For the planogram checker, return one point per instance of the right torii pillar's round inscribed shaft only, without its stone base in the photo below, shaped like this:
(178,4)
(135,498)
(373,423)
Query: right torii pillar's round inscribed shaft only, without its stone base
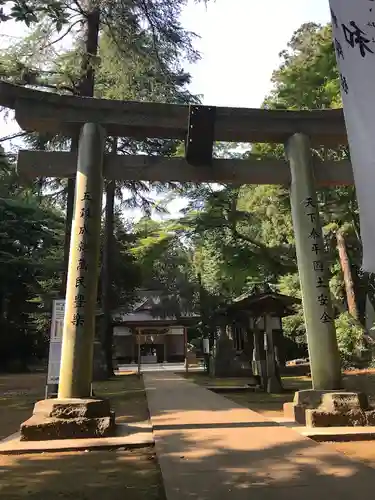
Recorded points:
(312,268)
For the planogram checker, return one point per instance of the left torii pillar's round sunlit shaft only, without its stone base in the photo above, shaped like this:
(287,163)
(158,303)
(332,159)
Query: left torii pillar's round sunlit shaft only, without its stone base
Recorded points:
(81,295)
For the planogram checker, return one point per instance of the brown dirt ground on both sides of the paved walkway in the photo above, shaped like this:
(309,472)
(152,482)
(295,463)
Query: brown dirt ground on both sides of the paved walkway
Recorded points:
(134,475)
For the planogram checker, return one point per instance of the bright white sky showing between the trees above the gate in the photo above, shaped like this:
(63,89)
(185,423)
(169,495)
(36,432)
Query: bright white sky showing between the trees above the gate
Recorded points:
(240,42)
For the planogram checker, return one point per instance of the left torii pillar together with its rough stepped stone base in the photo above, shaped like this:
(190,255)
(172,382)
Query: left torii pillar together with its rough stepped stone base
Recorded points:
(74,413)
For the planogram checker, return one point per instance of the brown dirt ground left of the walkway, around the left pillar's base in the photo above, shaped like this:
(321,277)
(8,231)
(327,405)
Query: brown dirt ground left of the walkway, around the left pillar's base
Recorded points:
(116,474)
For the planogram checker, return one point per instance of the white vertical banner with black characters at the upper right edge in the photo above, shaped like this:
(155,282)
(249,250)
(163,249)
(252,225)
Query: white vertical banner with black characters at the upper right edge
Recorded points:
(353,23)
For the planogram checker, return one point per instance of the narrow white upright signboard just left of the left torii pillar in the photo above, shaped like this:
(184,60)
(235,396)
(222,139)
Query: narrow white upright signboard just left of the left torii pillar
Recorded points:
(54,359)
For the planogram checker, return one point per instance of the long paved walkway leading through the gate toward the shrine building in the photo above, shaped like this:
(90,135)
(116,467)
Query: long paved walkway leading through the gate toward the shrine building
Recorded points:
(210,448)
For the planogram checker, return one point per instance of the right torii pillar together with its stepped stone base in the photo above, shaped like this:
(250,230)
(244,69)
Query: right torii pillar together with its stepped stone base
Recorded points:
(326,404)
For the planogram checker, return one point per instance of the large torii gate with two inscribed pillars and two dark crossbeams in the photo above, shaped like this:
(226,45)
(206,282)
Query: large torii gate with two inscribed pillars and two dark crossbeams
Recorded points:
(199,126)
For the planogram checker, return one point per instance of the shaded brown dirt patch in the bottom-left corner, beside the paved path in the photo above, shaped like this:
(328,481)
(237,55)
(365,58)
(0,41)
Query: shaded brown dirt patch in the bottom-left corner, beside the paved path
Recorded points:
(90,476)
